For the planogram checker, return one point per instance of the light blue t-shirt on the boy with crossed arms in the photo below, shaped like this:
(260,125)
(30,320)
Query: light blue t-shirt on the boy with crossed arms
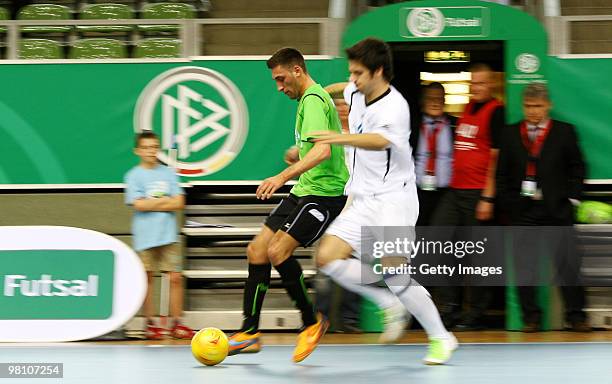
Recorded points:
(152,229)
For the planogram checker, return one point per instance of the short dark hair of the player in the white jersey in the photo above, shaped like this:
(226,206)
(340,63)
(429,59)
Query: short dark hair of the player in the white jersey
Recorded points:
(373,54)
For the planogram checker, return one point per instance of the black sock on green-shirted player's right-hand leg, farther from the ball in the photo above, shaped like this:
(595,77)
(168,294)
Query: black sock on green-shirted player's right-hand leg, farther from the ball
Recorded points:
(293,280)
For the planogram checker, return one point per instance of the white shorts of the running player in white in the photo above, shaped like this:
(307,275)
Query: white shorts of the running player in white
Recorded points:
(390,210)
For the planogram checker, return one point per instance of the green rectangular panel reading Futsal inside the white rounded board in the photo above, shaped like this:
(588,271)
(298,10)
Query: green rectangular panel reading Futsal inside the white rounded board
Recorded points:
(56,284)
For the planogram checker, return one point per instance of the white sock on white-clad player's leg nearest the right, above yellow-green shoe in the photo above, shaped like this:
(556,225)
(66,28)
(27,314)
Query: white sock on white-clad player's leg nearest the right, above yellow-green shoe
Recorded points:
(417,301)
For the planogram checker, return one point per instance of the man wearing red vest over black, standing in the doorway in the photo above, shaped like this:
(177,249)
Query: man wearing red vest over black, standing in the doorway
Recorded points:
(472,187)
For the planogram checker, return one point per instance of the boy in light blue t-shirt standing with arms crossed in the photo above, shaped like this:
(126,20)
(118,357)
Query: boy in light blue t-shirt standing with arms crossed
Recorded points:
(154,192)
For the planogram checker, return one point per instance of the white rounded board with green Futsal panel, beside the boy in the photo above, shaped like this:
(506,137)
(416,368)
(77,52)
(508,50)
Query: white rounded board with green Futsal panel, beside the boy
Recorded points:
(64,284)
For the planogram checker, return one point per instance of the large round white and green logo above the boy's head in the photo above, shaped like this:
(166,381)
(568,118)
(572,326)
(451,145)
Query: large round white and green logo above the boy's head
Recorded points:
(199,113)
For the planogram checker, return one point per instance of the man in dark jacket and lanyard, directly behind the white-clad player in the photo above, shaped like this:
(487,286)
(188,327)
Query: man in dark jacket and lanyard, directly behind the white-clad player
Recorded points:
(432,143)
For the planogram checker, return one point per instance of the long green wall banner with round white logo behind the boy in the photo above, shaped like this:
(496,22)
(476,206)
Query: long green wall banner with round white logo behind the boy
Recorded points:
(74,123)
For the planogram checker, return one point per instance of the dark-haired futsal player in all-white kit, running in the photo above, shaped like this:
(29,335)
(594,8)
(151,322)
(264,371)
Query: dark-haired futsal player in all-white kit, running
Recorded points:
(382,184)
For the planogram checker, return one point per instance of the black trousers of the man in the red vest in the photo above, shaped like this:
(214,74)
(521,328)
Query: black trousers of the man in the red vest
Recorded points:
(457,208)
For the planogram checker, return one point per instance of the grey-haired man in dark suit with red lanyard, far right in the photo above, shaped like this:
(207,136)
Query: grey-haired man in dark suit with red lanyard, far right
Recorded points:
(539,178)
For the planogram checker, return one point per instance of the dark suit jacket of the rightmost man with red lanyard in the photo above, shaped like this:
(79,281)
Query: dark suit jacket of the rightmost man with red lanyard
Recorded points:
(560,171)
